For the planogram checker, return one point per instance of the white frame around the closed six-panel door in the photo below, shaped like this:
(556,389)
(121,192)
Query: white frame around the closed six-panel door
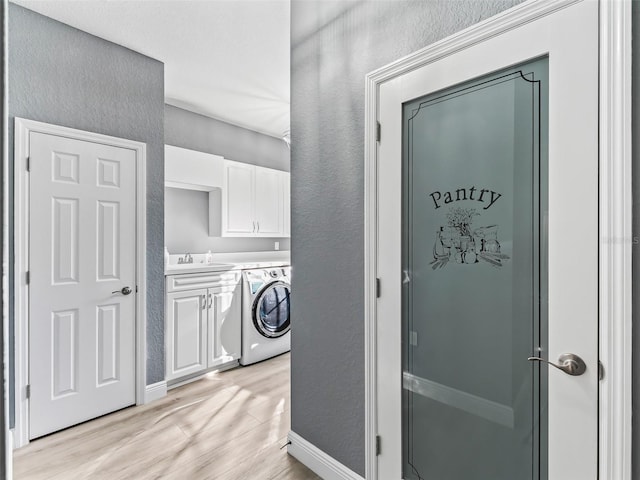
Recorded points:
(22,130)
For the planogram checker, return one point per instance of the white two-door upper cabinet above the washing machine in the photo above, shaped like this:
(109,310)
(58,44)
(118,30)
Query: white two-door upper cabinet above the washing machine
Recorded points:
(252,201)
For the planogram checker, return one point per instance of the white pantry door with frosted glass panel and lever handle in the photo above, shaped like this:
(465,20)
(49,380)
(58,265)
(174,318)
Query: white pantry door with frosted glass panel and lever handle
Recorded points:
(487,255)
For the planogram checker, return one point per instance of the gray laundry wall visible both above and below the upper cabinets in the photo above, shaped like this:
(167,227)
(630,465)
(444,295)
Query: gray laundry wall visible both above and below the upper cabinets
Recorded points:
(186,211)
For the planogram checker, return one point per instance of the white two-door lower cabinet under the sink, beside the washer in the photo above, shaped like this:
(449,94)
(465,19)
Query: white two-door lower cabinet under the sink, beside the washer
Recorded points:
(203,323)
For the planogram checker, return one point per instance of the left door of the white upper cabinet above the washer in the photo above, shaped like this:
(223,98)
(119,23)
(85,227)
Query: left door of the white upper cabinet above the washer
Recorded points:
(238,200)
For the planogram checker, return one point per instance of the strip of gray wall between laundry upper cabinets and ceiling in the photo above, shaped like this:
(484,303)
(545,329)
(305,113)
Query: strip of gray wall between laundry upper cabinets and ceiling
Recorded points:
(186,129)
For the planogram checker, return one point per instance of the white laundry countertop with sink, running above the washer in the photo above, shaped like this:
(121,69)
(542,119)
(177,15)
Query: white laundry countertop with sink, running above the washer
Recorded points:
(228,261)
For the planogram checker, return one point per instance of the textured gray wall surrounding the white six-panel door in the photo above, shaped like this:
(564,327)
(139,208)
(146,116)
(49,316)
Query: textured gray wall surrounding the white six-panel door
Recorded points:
(60,75)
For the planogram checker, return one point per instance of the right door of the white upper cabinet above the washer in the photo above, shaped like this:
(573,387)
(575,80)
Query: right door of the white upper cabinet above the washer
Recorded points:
(268,198)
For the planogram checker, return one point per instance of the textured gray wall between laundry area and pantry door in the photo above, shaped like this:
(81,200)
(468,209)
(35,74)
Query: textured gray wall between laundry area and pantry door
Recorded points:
(334,45)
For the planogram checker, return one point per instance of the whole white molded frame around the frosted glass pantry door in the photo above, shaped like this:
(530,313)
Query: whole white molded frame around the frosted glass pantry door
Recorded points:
(615,205)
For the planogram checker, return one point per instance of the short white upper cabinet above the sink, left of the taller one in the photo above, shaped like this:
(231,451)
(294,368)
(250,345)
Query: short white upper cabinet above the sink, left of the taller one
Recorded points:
(184,168)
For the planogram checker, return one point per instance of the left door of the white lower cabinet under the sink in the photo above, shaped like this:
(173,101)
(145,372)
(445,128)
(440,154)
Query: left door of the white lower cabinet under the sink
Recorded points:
(186,333)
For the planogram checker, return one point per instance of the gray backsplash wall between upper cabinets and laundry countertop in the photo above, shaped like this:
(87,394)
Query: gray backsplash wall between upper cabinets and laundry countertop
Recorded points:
(187,227)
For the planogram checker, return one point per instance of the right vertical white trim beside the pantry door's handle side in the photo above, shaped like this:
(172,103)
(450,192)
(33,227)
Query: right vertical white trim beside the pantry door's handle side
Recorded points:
(616,240)
